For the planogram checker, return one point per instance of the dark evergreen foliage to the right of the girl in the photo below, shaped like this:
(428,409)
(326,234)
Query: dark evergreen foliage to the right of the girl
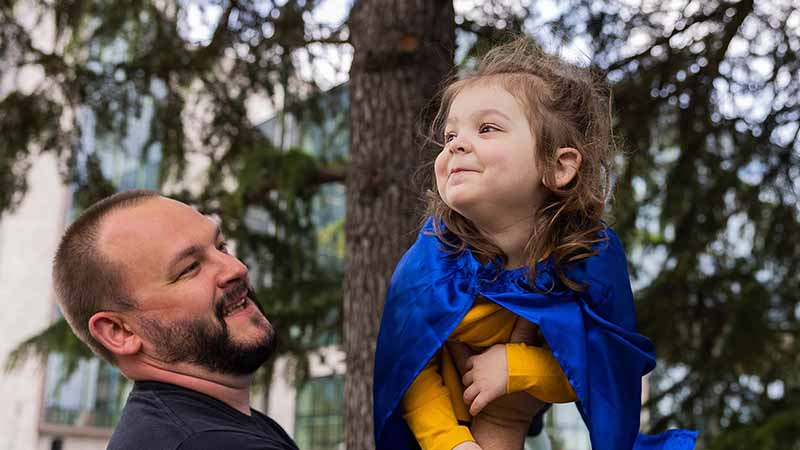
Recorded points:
(707,196)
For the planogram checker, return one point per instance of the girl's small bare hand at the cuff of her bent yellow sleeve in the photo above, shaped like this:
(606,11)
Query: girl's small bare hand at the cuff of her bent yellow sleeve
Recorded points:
(486,378)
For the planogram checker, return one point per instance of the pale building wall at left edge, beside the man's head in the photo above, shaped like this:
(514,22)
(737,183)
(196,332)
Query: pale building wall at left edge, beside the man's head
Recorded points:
(28,239)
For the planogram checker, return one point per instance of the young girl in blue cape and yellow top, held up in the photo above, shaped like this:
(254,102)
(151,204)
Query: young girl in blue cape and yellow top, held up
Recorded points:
(514,249)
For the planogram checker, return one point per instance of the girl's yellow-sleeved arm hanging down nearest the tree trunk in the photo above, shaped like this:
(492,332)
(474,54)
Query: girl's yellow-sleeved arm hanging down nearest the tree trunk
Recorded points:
(428,411)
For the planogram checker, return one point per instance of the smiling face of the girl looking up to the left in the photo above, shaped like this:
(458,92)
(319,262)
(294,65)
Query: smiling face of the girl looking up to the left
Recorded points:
(487,170)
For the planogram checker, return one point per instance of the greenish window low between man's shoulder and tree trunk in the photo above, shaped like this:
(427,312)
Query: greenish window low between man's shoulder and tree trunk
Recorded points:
(319,423)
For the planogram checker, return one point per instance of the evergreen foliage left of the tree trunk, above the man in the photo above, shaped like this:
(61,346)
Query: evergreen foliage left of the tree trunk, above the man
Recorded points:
(133,79)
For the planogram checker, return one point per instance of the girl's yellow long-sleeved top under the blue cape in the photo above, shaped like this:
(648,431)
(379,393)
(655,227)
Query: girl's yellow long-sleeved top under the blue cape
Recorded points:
(433,404)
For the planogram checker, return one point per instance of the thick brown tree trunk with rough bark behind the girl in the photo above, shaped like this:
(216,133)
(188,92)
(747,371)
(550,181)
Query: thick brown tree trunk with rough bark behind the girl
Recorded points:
(403,49)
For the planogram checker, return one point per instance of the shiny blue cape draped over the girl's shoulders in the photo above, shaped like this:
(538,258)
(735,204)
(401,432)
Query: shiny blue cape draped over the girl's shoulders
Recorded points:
(592,335)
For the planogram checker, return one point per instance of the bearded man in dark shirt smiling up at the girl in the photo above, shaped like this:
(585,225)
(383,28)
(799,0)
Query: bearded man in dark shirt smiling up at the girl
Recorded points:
(147,282)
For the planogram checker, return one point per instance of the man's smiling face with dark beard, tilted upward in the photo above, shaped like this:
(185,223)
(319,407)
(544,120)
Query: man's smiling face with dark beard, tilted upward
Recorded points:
(194,301)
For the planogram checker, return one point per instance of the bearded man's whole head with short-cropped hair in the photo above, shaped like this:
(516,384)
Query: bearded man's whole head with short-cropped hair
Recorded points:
(143,275)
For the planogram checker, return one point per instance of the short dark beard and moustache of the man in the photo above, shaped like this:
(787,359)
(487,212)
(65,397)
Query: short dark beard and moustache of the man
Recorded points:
(207,343)
